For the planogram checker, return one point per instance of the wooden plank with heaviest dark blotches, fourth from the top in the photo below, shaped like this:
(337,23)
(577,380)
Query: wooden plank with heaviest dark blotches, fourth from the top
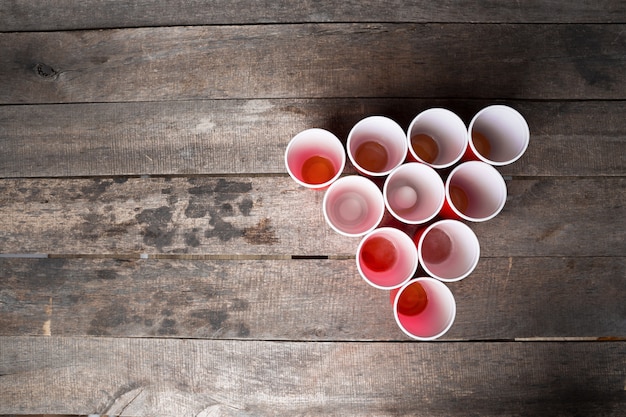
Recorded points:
(275,216)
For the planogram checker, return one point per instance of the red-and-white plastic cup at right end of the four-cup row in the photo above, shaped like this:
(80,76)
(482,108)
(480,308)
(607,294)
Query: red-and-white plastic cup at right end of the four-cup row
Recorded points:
(498,135)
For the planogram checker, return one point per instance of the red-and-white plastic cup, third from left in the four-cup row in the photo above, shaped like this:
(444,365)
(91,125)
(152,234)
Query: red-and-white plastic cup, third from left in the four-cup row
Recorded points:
(437,137)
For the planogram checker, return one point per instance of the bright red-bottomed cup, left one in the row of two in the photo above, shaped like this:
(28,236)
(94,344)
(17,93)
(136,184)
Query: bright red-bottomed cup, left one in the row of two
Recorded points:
(386,258)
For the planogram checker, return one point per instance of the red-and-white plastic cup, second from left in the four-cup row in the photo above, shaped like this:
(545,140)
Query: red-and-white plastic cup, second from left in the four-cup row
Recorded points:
(376,145)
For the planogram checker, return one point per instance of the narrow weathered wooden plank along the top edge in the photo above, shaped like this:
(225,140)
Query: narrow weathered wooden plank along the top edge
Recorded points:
(24,15)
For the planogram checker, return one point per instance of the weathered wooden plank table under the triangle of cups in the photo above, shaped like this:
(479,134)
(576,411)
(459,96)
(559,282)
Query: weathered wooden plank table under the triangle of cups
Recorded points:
(156,259)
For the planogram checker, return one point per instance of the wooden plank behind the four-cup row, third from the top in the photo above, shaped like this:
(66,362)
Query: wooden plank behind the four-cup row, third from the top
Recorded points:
(250,136)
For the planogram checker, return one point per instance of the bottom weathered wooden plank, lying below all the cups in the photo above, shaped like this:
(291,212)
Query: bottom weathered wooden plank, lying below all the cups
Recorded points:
(188,378)
